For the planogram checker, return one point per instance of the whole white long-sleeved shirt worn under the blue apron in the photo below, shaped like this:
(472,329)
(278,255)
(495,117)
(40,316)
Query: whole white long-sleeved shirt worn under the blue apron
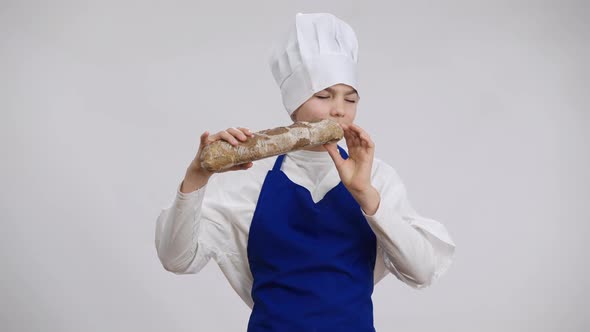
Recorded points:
(214,222)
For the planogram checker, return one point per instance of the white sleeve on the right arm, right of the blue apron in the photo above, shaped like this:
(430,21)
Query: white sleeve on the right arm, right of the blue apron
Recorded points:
(417,250)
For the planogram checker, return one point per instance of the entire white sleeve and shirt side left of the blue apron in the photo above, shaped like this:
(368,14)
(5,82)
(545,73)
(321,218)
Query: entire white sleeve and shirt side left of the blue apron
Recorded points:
(212,223)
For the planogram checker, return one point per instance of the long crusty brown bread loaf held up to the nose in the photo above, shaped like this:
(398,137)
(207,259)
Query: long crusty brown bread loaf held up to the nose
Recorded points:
(221,155)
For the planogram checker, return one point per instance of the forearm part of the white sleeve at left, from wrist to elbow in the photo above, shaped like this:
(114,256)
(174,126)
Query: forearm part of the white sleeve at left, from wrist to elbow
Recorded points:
(178,230)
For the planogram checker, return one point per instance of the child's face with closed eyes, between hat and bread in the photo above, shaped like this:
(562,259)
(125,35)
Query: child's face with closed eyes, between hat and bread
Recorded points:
(337,102)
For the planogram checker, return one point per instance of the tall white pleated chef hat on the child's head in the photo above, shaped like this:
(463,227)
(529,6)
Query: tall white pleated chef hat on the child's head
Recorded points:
(319,50)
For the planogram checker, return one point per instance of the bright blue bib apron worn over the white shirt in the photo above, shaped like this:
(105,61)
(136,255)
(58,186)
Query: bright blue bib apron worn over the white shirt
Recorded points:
(312,263)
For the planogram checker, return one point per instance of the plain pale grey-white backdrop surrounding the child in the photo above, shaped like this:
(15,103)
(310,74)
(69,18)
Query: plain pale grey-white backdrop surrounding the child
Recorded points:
(481,107)
